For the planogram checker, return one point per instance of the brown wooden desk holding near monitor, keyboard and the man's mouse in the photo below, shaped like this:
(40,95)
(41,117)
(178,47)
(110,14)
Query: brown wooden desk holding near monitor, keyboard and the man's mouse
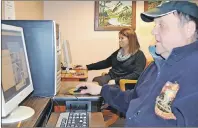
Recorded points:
(42,108)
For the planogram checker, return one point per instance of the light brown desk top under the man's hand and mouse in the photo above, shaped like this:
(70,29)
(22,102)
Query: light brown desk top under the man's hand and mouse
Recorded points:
(66,86)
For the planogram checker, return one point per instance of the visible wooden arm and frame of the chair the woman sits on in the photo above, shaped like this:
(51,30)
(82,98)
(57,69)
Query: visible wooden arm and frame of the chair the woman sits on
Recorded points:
(113,117)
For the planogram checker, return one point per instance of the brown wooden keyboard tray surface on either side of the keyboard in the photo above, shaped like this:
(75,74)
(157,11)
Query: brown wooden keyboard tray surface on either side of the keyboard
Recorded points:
(95,120)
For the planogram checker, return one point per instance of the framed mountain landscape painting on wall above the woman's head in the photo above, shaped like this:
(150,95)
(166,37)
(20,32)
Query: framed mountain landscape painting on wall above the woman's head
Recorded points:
(114,15)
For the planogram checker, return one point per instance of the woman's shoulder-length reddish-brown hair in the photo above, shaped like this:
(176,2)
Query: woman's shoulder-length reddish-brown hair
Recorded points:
(132,37)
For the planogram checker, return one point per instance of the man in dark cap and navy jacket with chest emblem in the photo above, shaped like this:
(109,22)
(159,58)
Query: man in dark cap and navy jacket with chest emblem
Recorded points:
(167,91)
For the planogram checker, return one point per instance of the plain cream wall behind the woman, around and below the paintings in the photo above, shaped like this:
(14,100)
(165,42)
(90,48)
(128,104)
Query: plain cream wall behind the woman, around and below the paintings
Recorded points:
(76,19)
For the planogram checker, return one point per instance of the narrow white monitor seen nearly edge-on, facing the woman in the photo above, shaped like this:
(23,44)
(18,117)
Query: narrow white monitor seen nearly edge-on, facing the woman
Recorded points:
(67,59)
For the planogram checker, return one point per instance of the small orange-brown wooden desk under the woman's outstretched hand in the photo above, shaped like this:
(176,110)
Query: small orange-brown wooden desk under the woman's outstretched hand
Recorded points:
(70,77)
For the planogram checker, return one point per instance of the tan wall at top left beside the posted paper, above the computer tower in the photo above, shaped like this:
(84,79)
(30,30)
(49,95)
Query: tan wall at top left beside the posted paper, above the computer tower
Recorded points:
(27,10)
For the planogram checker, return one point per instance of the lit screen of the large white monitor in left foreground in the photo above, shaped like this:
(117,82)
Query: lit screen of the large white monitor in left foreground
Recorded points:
(14,69)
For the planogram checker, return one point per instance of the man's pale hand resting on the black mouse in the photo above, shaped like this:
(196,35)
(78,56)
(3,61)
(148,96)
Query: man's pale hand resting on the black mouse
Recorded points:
(92,88)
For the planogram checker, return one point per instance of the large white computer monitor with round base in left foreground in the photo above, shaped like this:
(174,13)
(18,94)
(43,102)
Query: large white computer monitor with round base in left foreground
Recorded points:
(16,82)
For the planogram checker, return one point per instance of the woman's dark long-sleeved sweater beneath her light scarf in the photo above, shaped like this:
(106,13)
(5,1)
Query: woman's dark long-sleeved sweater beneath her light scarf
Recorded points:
(128,69)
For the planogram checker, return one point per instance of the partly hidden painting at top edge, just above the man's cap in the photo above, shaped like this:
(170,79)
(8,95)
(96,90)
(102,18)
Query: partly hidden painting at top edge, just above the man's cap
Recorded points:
(151,4)
